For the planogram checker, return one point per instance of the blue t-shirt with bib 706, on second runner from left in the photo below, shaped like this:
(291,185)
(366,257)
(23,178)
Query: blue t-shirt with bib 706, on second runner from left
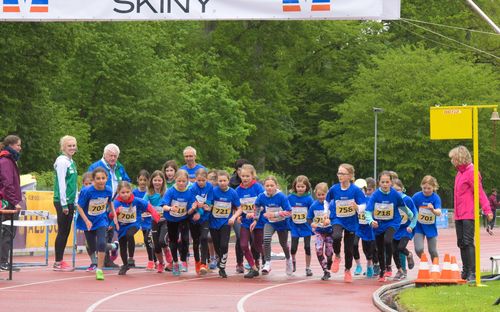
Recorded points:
(130,214)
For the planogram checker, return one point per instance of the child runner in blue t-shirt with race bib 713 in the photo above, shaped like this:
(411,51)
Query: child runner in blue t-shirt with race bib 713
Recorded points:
(300,200)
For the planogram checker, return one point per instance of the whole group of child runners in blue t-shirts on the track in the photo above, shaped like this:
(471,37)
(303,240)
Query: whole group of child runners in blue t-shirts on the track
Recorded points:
(170,208)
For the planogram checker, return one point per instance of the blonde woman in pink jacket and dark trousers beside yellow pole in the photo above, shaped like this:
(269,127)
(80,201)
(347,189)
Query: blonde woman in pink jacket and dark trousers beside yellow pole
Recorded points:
(463,199)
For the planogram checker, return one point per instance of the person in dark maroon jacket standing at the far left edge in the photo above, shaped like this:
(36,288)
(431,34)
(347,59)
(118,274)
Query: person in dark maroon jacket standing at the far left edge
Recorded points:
(10,190)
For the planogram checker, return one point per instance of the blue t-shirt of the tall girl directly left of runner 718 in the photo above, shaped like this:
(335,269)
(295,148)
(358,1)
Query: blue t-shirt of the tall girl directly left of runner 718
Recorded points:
(341,211)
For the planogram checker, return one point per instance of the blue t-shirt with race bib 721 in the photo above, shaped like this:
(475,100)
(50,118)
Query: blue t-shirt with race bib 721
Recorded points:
(222,210)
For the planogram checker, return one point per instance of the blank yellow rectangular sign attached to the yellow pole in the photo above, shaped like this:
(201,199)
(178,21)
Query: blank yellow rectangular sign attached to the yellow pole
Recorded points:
(451,123)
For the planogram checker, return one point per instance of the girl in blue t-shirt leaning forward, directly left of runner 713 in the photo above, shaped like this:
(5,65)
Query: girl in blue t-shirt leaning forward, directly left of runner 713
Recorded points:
(274,209)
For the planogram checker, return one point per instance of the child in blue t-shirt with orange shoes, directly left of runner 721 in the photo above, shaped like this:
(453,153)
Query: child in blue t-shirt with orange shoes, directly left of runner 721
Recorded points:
(202,193)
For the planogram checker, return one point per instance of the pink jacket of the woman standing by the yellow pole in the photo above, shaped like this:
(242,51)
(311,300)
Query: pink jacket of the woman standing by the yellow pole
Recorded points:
(463,196)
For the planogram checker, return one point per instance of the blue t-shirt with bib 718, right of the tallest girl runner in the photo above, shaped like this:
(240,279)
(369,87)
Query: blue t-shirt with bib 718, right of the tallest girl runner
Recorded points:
(384,209)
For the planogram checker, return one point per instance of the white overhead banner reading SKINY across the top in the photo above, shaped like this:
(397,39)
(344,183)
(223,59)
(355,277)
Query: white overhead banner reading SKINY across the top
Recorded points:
(107,10)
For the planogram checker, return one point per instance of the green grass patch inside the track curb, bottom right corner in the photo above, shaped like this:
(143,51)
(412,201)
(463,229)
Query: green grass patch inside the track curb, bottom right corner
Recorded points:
(451,298)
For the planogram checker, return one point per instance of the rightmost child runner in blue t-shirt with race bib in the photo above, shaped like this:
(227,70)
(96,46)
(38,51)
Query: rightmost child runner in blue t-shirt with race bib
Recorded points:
(428,204)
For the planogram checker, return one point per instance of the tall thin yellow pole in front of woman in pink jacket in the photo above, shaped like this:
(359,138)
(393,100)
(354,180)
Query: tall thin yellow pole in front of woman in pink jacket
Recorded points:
(476,194)
